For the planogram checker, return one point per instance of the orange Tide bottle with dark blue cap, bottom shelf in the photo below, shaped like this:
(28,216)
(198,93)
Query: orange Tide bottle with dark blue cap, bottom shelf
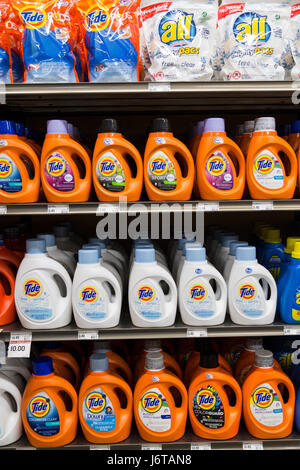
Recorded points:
(47,420)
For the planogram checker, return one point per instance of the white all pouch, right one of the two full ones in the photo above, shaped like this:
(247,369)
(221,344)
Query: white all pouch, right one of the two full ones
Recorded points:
(252,40)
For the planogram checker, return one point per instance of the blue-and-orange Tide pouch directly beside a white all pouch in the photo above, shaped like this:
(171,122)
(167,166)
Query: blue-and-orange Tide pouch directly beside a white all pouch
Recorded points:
(111,39)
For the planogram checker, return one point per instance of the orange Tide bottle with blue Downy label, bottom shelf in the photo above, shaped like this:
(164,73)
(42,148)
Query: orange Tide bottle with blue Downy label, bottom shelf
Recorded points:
(105,404)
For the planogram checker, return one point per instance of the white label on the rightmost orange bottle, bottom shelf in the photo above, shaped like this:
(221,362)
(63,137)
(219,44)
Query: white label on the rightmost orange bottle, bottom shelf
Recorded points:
(266,406)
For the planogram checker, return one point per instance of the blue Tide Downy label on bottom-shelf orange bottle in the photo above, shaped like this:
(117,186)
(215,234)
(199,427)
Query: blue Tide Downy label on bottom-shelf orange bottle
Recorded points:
(98,411)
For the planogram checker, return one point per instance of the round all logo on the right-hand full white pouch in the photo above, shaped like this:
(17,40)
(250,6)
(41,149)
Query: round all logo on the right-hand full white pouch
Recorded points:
(251,29)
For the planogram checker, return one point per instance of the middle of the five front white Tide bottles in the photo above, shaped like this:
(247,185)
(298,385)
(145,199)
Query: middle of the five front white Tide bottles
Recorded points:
(152,292)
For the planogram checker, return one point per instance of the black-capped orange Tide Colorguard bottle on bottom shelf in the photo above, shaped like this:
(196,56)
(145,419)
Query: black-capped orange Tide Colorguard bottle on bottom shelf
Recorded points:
(214,401)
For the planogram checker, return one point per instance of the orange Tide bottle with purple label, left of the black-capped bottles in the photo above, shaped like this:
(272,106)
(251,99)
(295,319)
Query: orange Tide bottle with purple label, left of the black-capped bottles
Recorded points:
(66,170)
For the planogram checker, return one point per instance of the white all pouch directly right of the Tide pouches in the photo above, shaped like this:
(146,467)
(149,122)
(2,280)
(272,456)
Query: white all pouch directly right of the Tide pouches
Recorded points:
(178,39)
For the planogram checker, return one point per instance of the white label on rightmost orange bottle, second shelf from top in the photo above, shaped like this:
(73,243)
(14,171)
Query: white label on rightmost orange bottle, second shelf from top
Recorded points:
(268,171)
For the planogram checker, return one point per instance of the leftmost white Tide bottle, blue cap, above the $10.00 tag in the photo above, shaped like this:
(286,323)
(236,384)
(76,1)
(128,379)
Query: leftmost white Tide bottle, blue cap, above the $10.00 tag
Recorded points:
(43,290)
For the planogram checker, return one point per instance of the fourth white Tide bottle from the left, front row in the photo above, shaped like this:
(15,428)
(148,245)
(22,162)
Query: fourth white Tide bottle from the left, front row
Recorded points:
(202,292)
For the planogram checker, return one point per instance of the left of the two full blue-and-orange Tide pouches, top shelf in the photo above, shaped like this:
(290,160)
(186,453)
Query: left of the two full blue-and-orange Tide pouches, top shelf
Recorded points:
(50,37)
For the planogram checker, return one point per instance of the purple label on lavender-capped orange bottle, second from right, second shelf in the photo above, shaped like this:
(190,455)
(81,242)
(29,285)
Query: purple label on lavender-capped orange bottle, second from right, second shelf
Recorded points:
(218,171)
